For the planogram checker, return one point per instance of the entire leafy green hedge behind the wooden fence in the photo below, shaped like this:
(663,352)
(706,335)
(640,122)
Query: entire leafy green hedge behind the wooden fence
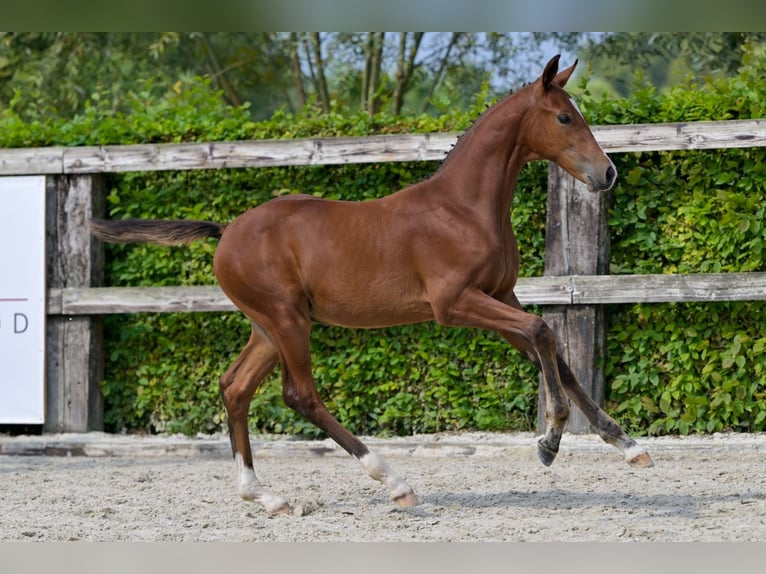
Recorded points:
(670,368)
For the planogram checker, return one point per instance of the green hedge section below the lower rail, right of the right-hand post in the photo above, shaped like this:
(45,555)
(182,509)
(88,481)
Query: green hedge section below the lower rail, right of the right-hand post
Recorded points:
(689,367)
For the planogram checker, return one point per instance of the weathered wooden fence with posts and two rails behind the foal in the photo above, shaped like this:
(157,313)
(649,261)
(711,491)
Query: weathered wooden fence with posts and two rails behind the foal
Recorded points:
(574,290)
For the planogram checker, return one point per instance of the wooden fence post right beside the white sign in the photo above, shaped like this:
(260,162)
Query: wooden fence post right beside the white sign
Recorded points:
(74,345)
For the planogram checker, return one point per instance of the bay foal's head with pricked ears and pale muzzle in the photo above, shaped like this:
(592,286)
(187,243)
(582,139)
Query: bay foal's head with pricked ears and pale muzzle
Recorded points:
(556,130)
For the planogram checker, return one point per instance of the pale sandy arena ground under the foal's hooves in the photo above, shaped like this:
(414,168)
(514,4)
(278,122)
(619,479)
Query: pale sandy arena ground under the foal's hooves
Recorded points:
(472,486)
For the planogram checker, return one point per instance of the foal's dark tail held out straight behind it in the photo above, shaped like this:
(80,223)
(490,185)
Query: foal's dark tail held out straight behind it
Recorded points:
(161,232)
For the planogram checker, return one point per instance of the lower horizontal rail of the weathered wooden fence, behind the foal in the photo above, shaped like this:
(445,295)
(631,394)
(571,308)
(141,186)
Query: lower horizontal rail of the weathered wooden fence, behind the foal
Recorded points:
(548,290)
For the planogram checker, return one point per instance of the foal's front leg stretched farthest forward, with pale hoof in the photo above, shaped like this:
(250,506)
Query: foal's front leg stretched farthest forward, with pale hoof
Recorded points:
(606,427)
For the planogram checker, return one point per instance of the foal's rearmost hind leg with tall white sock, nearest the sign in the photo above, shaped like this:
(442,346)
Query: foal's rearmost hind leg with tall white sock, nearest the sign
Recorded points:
(238,384)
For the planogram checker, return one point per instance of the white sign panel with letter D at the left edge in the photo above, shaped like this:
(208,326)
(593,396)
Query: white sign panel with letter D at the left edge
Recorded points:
(22,300)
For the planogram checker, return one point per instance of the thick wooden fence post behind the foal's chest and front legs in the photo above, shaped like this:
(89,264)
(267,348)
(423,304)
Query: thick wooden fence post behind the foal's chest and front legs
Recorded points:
(577,243)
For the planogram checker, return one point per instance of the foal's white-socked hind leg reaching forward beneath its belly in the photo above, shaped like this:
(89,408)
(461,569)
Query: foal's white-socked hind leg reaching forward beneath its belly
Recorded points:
(300,394)
